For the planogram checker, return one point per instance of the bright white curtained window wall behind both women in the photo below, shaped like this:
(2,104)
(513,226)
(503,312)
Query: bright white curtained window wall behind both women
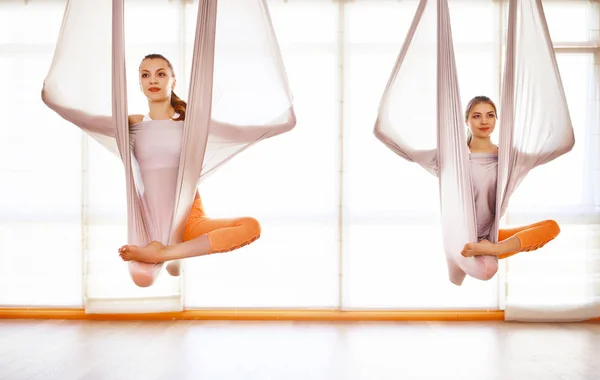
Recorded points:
(342,236)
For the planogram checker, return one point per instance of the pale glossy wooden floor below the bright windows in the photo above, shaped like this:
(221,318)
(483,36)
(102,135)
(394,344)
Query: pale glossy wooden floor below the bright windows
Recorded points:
(106,350)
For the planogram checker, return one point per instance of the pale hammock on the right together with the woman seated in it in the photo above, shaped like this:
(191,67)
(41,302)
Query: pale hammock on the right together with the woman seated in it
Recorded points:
(535,128)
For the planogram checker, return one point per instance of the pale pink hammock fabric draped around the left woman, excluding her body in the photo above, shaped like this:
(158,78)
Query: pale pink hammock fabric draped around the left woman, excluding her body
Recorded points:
(238,94)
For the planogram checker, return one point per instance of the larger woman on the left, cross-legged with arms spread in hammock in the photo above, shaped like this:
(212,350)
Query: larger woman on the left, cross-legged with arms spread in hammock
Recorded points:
(156,139)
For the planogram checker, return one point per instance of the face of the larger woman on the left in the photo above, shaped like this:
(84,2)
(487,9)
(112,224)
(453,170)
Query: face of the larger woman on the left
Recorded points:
(156,79)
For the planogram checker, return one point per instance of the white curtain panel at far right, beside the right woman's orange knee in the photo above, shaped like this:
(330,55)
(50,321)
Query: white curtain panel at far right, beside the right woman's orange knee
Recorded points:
(561,282)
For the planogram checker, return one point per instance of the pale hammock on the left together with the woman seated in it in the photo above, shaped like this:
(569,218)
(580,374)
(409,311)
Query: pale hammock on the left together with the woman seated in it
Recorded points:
(238,95)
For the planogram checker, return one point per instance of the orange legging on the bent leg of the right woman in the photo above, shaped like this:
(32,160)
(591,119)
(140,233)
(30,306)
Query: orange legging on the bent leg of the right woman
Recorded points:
(532,237)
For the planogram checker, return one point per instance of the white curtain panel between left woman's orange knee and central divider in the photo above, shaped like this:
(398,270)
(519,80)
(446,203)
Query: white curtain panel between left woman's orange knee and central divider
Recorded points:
(294,264)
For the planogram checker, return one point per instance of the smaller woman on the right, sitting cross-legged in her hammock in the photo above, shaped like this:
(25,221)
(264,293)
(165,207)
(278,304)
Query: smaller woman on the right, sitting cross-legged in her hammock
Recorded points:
(480,117)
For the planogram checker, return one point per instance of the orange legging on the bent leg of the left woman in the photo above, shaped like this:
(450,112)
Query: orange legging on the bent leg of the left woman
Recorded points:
(224,235)
